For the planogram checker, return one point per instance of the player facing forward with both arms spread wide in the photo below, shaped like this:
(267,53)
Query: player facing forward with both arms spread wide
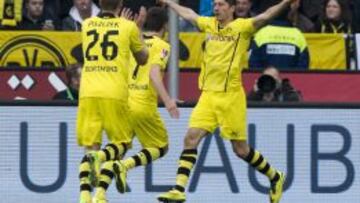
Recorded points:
(223,102)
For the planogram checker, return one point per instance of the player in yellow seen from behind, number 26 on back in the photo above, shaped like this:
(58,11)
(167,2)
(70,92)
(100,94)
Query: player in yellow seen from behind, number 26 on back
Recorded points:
(108,42)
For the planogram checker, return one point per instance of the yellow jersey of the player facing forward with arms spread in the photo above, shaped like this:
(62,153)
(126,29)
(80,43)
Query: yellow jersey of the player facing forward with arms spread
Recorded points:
(224,52)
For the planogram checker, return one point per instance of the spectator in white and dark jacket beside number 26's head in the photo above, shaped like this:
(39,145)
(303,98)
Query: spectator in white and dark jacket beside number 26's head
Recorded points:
(81,10)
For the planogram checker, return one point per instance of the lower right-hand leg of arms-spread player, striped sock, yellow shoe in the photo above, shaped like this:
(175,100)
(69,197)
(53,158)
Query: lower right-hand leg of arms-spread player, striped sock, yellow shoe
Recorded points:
(258,161)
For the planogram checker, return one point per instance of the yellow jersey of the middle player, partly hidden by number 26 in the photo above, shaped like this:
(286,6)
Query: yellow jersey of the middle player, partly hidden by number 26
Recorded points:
(141,89)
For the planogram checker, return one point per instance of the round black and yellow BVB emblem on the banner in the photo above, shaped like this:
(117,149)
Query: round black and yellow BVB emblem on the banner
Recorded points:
(38,52)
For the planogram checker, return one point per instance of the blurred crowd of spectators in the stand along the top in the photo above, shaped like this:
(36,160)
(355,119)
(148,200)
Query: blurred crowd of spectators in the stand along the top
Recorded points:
(320,16)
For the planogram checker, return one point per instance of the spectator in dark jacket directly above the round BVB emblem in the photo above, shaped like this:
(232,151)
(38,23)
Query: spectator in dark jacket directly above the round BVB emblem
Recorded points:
(35,18)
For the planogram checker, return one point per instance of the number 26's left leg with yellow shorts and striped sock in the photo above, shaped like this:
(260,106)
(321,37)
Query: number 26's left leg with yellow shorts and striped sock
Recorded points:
(89,129)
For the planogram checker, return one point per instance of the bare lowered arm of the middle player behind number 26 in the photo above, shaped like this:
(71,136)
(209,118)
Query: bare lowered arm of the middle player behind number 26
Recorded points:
(156,79)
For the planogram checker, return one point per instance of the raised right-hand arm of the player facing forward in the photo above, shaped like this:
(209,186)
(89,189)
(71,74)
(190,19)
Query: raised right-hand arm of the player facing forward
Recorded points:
(263,18)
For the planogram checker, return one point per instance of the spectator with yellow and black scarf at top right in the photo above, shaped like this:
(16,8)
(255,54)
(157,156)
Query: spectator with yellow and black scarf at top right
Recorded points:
(336,18)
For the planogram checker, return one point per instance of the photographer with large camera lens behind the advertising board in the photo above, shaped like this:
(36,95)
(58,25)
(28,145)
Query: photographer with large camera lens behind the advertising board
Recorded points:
(269,87)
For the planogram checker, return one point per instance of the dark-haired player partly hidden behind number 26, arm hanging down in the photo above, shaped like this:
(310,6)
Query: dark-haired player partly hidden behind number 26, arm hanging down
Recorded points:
(145,85)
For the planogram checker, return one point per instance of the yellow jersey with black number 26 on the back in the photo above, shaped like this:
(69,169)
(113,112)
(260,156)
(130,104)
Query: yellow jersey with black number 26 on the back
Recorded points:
(107,43)
